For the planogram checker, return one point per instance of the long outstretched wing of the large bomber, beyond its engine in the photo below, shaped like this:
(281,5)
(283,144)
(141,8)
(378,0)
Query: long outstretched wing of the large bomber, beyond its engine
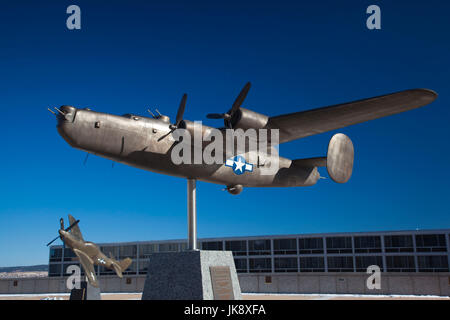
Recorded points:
(307,123)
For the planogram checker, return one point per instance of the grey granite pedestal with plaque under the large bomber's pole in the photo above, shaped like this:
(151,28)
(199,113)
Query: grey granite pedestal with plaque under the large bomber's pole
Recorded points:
(192,275)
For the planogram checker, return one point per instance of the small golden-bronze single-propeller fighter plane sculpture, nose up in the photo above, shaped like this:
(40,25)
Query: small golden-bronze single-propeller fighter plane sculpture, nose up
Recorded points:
(88,252)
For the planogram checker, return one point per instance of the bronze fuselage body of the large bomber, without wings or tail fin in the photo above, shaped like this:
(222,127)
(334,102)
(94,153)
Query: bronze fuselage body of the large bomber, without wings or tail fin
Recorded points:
(147,143)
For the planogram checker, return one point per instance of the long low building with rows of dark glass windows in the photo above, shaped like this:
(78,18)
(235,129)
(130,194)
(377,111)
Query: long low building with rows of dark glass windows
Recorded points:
(395,251)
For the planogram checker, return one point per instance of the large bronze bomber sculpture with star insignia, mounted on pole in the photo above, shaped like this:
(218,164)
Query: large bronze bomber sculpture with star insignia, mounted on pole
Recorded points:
(147,142)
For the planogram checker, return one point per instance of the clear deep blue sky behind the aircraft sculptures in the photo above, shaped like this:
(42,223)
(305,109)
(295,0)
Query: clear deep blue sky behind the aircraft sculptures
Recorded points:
(131,55)
